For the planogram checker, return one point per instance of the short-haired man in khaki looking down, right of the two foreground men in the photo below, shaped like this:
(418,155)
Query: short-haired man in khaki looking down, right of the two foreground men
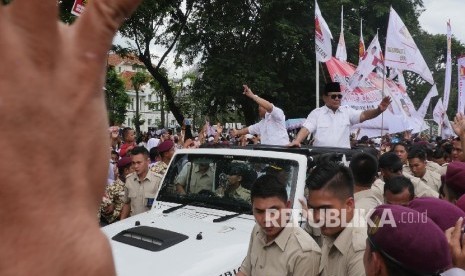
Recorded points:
(330,194)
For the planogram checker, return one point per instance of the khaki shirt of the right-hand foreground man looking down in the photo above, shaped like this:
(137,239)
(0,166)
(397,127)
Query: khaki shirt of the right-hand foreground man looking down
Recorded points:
(343,255)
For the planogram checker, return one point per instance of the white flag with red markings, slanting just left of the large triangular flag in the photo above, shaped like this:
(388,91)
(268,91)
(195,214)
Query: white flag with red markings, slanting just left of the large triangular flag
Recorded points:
(372,59)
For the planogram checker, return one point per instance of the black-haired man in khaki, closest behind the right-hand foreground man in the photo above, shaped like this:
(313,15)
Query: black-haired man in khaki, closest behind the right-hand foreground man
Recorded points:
(364,167)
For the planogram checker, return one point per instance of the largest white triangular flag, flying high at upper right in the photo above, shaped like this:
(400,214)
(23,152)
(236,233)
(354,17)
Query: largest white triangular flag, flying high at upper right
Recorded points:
(401,50)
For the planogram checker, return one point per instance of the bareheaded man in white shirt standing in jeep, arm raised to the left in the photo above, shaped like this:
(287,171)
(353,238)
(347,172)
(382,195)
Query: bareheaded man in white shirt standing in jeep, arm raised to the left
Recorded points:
(272,127)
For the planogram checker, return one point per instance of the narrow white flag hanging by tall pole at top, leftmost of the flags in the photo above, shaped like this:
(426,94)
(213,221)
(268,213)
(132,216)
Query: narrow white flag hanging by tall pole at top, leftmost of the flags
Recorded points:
(323,37)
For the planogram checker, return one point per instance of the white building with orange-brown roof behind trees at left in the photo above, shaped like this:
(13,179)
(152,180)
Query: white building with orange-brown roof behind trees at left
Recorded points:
(126,68)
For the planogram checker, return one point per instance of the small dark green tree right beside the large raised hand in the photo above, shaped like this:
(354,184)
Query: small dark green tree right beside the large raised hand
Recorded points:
(116,97)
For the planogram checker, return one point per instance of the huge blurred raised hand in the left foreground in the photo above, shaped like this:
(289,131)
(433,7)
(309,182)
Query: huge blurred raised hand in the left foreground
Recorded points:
(54,144)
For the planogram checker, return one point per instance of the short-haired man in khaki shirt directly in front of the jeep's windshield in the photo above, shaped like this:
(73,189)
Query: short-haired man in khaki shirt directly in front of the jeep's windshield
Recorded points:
(277,249)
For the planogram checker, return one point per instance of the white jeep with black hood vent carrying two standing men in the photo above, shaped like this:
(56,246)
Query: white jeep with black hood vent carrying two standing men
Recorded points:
(205,232)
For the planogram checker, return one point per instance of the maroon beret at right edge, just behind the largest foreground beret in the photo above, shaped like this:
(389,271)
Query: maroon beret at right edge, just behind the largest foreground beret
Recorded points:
(442,212)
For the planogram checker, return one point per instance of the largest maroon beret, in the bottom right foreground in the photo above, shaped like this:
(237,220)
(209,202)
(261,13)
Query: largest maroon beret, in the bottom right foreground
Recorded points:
(409,239)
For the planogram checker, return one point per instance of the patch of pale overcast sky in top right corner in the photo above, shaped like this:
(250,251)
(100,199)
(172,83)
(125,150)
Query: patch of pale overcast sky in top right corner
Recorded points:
(434,18)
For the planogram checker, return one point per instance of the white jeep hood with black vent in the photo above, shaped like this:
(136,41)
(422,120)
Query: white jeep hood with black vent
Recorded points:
(210,248)
